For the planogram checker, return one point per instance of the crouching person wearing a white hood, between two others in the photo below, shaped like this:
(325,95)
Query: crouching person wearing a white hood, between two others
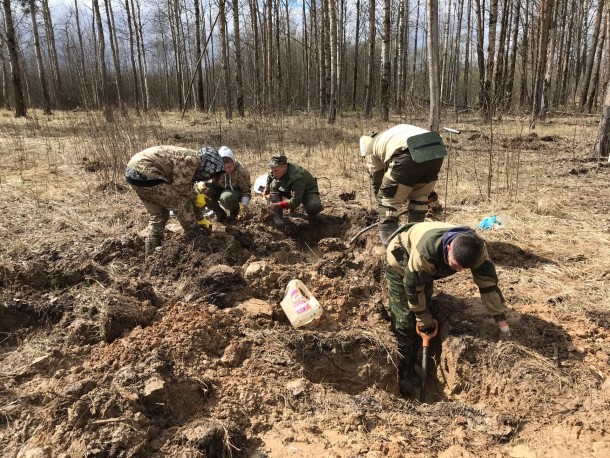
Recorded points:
(231,189)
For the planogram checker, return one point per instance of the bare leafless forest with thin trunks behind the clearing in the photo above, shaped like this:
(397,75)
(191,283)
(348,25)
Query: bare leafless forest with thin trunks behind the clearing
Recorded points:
(494,57)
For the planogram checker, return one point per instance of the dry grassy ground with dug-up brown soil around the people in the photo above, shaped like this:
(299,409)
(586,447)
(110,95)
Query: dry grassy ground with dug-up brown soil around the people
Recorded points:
(108,353)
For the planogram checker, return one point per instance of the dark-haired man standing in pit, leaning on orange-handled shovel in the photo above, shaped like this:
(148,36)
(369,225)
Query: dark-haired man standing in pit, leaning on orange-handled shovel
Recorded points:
(419,254)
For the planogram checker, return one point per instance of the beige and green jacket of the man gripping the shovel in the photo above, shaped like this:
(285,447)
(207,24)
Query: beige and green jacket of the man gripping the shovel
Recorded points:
(426,262)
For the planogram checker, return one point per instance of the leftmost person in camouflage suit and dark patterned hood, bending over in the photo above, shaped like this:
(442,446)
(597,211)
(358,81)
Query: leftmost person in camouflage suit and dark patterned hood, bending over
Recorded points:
(163,177)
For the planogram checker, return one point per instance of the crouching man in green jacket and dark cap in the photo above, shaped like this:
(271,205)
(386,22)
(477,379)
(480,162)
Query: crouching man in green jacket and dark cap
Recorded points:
(288,186)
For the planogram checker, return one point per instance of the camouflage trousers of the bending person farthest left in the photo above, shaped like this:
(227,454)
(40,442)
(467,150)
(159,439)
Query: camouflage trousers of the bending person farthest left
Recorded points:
(160,199)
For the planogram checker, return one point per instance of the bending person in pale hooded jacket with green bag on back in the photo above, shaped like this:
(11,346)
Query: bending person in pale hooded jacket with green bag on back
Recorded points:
(403,163)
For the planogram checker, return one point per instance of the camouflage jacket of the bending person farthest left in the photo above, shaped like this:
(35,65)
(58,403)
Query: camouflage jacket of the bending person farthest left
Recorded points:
(173,164)
